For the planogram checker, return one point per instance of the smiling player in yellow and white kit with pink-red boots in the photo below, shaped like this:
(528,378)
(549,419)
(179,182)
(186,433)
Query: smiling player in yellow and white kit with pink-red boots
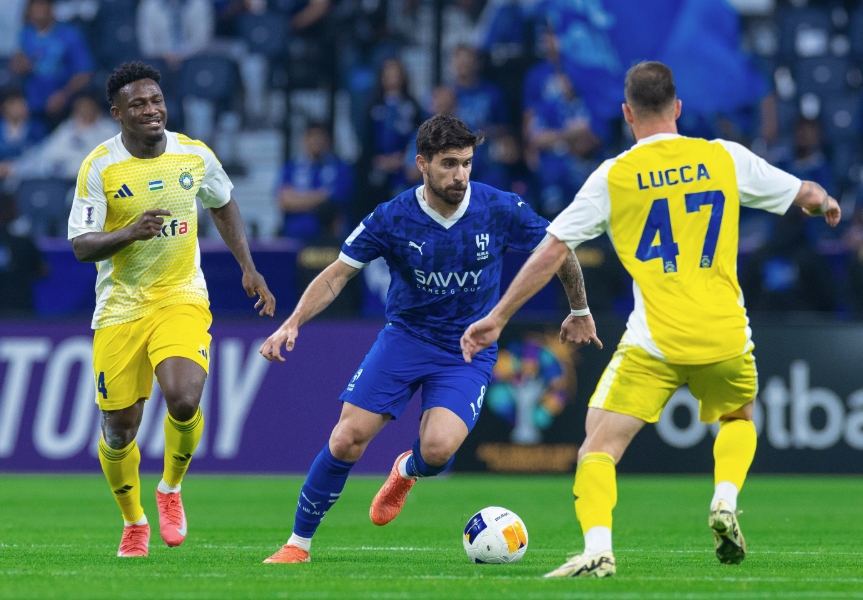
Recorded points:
(135,216)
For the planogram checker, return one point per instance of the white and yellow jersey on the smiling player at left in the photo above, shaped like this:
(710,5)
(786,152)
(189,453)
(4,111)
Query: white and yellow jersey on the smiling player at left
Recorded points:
(113,189)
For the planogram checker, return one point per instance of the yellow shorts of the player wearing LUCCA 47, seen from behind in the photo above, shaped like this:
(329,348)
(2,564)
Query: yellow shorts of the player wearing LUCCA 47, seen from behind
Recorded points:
(640,385)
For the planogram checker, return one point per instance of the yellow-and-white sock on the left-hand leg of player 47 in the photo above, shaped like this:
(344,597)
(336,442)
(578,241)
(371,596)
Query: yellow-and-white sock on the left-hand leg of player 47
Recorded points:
(595,493)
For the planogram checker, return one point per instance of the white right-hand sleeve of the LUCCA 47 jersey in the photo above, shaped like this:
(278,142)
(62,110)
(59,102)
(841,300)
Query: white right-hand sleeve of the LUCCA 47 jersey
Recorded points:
(760,184)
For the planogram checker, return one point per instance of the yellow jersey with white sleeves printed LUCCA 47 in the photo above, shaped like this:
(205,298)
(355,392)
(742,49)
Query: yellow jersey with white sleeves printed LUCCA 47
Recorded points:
(671,207)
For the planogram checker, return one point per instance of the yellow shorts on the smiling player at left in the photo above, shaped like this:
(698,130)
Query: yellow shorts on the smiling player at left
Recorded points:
(126,355)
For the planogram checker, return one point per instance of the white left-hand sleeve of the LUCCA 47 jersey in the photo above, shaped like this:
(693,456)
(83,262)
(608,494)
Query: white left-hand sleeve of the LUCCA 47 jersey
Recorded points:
(588,215)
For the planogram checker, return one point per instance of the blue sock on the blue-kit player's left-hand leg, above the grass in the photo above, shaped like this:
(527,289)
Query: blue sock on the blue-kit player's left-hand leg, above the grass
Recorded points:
(323,486)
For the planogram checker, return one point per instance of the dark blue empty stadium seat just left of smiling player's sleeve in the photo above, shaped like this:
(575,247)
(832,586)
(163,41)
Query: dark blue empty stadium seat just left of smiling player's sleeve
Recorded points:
(46,203)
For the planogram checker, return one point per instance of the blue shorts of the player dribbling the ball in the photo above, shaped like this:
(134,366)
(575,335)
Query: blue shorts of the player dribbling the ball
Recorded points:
(399,363)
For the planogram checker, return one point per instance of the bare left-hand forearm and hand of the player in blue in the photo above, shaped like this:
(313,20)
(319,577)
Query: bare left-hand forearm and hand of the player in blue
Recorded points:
(319,295)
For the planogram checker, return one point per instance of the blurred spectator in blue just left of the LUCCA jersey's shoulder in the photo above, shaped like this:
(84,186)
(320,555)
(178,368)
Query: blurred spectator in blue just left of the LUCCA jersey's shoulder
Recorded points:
(559,129)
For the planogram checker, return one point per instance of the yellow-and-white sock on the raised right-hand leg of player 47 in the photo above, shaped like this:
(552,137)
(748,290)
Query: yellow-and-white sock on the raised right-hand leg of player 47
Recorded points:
(733,452)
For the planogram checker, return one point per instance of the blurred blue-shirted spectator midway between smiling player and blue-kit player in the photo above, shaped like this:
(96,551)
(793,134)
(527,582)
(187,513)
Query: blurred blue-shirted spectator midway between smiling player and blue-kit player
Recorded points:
(316,178)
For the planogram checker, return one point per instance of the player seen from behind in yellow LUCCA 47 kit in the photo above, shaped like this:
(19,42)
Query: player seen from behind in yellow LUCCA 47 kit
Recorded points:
(670,205)
